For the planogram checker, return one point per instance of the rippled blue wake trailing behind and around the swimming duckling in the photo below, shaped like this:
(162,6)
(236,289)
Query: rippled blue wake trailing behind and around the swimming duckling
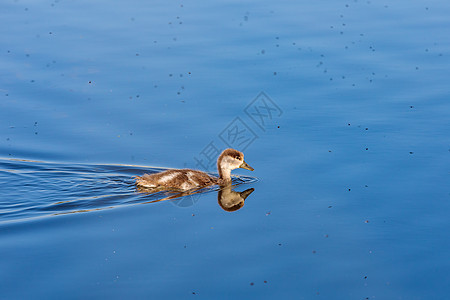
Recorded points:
(32,189)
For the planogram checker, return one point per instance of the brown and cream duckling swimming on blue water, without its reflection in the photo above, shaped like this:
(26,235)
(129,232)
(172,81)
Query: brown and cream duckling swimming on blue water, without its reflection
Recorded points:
(186,179)
